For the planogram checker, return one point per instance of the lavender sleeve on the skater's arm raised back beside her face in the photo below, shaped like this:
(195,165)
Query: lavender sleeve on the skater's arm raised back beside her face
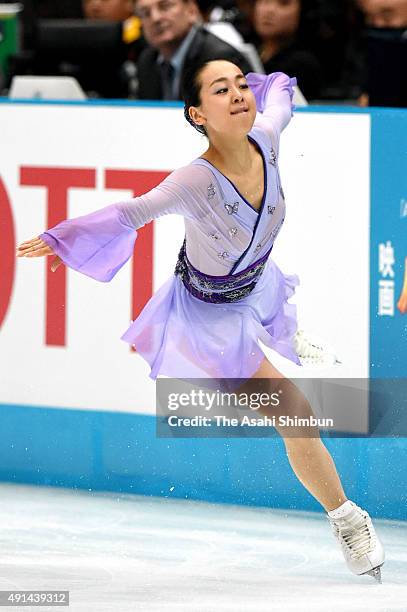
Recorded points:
(274,94)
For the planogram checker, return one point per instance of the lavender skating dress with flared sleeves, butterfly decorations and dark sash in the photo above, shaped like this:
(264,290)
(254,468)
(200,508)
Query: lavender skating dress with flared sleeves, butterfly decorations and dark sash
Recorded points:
(226,292)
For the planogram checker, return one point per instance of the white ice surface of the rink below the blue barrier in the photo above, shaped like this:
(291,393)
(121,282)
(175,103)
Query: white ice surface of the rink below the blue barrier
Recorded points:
(127,552)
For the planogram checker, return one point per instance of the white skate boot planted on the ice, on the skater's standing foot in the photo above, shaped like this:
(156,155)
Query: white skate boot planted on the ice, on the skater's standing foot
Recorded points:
(360,545)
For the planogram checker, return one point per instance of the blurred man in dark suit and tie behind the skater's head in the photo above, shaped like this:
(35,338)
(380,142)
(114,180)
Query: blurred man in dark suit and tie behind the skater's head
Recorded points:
(175,39)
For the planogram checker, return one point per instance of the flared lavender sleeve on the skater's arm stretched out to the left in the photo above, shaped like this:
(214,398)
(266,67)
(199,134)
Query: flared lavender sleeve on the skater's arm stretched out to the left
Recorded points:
(100,243)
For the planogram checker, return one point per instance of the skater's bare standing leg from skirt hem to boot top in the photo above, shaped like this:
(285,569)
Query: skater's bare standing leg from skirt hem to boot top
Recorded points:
(307,454)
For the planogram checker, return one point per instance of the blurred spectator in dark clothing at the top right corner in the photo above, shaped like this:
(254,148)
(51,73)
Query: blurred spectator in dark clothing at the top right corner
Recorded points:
(385,76)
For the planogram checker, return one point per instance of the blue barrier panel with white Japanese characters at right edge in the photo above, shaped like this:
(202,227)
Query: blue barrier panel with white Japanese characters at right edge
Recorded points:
(388,334)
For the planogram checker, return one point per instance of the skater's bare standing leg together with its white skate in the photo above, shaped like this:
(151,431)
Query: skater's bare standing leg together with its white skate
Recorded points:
(315,469)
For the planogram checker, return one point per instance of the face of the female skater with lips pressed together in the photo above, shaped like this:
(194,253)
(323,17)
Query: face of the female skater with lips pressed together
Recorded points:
(227,104)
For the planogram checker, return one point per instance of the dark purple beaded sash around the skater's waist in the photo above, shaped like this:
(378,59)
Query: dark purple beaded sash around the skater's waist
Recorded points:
(218,289)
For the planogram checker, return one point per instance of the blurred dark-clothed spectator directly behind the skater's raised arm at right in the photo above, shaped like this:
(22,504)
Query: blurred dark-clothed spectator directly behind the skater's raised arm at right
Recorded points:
(279,25)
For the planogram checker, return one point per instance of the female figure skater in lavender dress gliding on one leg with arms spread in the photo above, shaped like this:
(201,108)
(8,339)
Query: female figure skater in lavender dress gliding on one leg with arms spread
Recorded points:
(226,293)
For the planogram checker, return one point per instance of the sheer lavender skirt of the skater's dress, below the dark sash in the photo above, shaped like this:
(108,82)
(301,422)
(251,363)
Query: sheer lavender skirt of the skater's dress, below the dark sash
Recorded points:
(183,337)
